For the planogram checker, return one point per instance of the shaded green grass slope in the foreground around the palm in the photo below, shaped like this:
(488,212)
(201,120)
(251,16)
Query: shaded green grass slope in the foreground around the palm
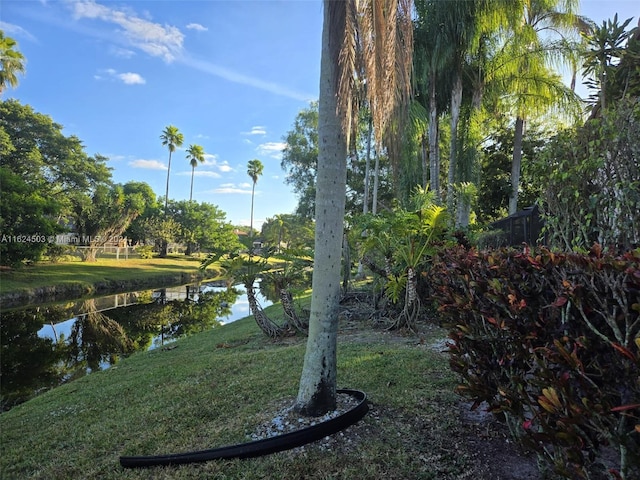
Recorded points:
(214,388)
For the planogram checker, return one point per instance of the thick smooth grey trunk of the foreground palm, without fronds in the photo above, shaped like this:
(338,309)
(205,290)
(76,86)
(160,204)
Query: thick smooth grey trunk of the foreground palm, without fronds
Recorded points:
(317,391)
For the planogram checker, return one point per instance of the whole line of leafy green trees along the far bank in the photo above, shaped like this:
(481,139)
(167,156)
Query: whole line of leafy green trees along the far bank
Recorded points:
(51,186)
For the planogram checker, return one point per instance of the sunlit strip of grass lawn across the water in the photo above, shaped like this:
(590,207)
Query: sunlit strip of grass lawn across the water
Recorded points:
(74,273)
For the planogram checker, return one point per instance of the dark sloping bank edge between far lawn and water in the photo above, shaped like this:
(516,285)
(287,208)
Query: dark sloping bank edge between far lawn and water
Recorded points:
(72,291)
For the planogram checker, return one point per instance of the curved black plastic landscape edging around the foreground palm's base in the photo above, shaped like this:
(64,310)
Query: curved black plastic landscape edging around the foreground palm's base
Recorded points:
(261,447)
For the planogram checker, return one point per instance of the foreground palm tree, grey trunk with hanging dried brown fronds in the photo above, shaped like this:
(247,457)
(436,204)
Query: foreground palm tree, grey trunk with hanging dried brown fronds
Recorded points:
(385,28)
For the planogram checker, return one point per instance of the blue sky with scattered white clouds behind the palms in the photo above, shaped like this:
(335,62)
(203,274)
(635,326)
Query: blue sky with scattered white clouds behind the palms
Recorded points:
(231,75)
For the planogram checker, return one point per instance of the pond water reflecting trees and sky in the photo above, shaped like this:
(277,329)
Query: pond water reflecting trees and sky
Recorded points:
(45,346)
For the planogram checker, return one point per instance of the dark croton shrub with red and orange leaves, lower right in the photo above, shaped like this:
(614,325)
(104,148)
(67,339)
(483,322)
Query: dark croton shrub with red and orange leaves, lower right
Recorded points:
(551,342)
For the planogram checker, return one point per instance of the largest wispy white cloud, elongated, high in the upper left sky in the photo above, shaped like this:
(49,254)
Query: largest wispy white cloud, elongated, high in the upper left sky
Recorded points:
(163,41)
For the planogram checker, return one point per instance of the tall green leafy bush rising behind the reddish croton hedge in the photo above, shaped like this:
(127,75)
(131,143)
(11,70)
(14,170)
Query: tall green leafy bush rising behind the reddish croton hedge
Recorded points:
(592,191)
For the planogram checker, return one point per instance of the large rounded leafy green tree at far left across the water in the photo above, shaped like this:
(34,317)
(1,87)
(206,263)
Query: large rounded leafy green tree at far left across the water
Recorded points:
(42,173)
